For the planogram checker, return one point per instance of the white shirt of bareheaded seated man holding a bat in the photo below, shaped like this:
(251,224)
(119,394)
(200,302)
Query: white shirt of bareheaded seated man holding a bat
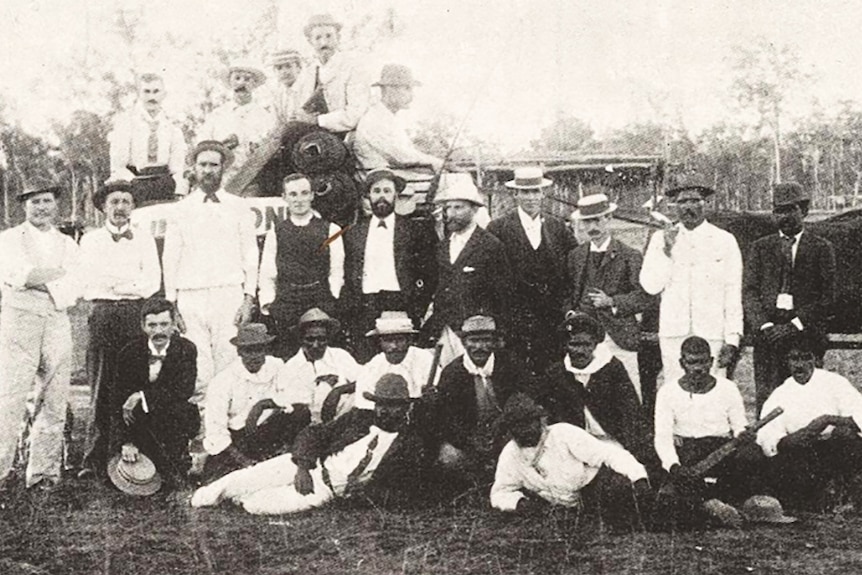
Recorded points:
(719,412)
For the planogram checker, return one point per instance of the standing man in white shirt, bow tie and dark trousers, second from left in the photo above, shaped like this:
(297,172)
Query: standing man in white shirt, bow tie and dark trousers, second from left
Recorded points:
(119,270)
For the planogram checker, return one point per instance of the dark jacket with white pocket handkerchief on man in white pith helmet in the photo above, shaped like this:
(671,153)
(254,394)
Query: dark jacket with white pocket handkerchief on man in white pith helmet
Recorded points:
(480,281)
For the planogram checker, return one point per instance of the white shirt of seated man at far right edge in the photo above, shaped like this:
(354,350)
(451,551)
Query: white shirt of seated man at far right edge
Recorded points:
(826,393)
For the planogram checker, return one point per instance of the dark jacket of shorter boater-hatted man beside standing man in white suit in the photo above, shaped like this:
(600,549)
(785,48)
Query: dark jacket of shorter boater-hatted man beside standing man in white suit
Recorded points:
(619,277)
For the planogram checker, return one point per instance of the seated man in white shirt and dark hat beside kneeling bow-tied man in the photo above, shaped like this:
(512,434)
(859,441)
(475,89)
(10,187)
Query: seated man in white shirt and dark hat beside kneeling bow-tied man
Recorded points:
(235,435)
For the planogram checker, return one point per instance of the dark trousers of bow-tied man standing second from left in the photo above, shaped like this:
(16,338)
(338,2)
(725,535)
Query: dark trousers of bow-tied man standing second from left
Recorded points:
(112,324)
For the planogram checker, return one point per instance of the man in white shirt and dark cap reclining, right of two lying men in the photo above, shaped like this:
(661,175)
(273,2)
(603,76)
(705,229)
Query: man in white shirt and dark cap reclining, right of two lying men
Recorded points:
(555,463)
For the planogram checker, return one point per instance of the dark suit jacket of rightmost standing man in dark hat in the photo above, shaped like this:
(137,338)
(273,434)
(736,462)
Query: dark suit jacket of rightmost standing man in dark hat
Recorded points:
(813,286)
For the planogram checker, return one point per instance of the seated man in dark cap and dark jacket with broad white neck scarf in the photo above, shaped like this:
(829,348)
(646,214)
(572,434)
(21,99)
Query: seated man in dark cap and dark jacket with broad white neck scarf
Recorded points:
(590,388)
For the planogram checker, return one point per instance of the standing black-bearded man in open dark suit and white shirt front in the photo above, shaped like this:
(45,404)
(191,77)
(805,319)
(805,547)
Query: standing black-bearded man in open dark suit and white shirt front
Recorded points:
(388,265)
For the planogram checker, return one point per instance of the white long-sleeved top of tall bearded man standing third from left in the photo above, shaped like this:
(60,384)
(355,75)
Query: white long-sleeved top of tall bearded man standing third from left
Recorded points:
(209,244)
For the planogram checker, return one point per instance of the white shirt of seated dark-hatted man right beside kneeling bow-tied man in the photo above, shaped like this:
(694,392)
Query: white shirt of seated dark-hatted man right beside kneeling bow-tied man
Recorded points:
(231,395)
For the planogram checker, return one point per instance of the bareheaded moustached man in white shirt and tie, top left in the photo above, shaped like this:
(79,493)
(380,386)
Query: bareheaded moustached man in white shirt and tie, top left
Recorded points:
(145,138)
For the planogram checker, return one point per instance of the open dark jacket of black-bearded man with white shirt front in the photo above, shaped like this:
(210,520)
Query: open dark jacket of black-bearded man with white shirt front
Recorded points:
(414,262)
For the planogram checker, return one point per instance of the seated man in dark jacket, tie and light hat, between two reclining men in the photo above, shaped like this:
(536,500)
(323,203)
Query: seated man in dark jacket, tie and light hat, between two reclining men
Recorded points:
(471,395)
